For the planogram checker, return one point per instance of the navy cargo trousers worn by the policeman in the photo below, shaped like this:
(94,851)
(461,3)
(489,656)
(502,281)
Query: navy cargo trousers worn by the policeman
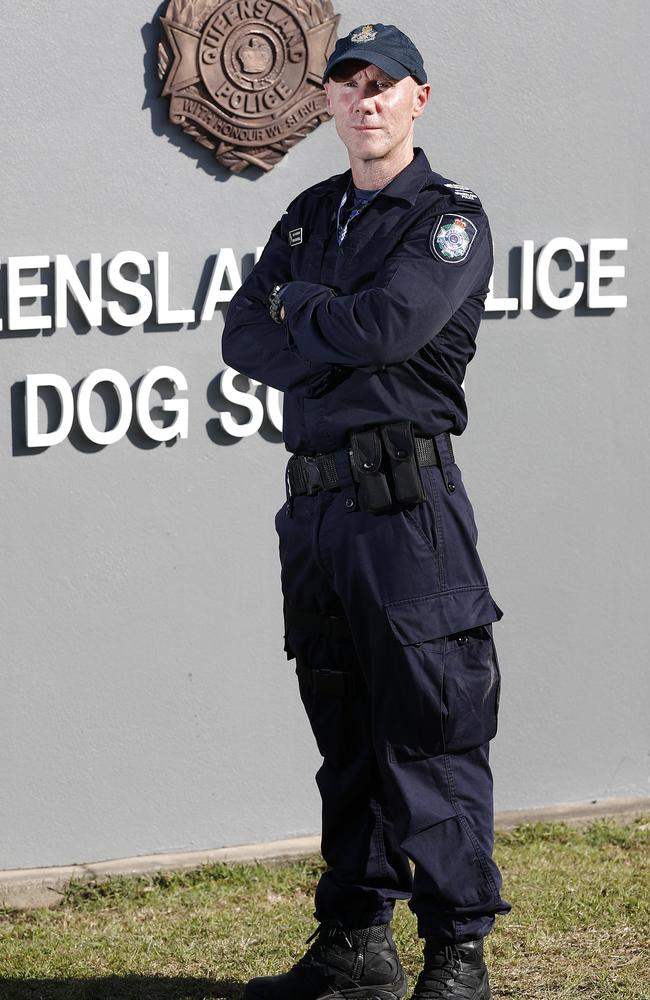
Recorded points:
(389,619)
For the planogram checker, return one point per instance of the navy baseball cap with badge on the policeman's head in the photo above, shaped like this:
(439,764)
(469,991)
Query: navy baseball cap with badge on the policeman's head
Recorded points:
(384,46)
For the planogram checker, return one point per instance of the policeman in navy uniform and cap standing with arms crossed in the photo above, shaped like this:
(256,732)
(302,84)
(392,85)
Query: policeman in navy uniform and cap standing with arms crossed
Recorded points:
(364,309)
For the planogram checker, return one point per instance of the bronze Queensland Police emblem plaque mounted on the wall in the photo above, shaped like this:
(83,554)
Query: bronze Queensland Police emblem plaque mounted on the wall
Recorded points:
(244,76)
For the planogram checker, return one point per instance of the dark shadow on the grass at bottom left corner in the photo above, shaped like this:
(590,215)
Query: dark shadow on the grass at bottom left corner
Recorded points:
(130,987)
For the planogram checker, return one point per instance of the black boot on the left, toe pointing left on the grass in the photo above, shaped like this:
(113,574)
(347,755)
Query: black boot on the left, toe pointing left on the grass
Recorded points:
(355,964)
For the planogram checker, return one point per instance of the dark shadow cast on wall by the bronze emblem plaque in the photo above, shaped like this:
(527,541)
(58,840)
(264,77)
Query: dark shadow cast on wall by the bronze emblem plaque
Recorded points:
(158,108)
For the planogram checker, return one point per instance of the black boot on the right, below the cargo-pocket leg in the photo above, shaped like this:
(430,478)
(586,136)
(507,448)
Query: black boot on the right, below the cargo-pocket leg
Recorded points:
(453,972)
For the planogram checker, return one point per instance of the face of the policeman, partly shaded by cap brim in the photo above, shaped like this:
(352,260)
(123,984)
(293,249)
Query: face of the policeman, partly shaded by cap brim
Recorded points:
(374,113)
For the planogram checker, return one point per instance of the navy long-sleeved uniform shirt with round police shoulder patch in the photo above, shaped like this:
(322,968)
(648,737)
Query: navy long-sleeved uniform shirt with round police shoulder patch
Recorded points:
(379,328)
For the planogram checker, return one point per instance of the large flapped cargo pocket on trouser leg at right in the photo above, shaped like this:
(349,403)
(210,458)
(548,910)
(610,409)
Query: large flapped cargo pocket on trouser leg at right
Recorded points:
(450,669)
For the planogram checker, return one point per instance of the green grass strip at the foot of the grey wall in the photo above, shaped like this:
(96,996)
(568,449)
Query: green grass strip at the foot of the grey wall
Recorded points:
(580,926)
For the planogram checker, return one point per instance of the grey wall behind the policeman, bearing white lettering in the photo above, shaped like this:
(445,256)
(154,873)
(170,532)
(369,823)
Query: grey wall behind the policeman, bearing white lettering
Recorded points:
(145,703)
